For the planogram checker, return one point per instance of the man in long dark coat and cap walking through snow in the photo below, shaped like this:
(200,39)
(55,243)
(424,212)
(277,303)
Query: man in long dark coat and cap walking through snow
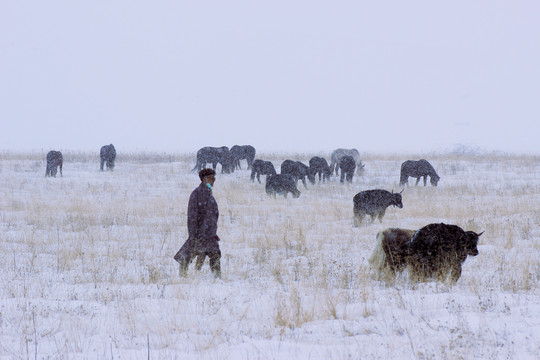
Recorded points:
(202,221)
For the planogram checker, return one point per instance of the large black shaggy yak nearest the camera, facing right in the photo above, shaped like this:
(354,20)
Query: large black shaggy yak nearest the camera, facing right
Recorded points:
(438,249)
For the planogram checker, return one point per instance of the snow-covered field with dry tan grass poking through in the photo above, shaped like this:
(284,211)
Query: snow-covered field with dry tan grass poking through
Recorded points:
(87,268)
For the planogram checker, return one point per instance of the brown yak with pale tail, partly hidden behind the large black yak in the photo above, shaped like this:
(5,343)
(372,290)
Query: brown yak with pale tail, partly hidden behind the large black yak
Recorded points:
(390,253)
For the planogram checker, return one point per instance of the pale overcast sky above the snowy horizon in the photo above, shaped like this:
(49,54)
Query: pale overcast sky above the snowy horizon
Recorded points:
(380,76)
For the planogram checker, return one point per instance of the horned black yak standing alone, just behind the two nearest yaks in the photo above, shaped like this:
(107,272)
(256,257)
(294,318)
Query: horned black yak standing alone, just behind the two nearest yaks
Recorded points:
(374,203)
